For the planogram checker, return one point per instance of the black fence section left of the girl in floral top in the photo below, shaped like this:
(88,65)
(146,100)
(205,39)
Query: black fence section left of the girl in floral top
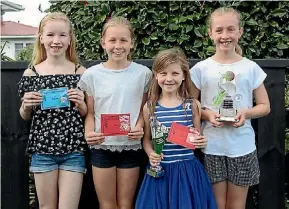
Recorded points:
(14,134)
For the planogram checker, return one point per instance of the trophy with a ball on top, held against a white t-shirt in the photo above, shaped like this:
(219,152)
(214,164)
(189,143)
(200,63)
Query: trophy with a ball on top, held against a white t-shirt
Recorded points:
(227,109)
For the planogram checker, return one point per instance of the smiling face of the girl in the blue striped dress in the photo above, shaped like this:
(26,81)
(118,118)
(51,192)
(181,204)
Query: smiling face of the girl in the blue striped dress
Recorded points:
(170,78)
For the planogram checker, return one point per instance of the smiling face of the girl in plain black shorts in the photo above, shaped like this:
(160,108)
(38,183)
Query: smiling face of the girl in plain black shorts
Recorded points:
(117,42)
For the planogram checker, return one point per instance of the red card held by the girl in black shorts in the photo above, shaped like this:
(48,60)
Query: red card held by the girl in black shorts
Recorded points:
(115,124)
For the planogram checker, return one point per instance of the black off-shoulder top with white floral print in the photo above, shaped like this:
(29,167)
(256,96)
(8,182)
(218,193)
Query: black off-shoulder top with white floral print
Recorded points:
(54,131)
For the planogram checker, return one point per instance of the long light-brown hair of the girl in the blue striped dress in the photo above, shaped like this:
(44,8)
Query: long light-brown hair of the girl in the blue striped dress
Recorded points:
(164,59)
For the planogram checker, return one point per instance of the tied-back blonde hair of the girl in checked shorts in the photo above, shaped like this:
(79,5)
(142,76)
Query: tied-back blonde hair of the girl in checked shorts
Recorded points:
(223,10)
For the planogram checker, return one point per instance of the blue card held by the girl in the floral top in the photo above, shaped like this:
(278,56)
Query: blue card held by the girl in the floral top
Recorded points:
(54,98)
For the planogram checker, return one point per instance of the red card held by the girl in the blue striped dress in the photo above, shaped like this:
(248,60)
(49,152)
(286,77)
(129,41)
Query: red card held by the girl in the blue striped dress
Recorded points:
(181,135)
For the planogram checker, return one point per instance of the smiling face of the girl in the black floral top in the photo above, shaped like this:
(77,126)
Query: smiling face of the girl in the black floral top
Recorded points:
(55,37)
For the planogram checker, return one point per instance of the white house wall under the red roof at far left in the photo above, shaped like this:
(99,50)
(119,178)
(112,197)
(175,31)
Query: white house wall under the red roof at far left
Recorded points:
(9,48)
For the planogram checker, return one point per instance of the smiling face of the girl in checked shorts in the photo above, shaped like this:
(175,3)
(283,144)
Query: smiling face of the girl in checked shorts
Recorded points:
(225,31)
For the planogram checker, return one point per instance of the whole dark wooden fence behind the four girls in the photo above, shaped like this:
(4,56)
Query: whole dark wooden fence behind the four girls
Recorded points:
(269,194)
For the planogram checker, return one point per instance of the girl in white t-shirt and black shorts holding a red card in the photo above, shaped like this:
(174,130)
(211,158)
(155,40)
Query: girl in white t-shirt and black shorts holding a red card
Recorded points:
(117,86)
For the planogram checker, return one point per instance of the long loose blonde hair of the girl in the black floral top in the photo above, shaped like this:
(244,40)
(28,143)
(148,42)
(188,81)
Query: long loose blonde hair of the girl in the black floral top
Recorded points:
(39,52)
